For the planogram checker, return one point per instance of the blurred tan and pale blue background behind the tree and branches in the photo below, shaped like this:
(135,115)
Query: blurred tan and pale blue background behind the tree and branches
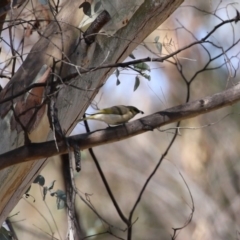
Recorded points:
(205,154)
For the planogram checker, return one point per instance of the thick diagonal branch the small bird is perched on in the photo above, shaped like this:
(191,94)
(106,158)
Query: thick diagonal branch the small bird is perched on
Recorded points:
(37,151)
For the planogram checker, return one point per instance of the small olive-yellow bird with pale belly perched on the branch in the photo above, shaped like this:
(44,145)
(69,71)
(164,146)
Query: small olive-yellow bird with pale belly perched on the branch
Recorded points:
(114,115)
